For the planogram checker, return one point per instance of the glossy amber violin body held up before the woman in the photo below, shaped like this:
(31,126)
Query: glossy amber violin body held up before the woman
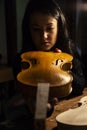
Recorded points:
(47,67)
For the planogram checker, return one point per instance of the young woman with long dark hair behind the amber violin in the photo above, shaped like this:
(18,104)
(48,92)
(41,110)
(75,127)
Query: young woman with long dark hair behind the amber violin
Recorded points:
(44,28)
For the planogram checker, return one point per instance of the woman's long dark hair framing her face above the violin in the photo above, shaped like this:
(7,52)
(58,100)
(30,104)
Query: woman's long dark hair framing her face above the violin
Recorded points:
(51,8)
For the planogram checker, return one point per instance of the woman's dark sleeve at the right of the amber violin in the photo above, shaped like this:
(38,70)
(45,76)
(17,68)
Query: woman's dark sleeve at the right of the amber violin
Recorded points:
(79,82)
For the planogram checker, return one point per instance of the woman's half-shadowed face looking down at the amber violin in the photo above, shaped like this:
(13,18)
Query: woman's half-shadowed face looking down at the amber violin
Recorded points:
(44,30)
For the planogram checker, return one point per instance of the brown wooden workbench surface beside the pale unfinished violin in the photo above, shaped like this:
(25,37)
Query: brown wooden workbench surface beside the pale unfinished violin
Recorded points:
(62,106)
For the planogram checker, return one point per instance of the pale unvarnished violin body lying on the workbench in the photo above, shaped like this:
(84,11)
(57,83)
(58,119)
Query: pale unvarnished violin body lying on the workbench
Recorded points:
(74,119)
